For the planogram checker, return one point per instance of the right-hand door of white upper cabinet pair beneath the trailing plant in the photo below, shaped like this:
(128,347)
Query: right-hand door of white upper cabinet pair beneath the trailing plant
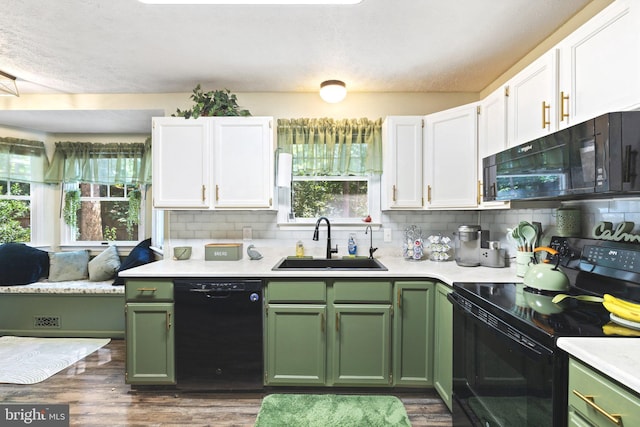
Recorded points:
(243,159)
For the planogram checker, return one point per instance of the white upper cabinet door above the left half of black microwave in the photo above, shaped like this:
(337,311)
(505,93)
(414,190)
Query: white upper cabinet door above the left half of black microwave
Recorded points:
(531,105)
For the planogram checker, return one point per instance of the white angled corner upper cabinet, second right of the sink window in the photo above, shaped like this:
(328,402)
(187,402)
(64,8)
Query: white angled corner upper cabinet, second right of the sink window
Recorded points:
(451,158)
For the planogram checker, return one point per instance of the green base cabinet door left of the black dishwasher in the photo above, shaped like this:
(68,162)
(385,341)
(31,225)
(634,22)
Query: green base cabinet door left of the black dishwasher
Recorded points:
(150,344)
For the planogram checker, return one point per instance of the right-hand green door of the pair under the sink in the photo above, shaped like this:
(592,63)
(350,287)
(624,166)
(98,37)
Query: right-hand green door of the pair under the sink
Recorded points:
(361,344)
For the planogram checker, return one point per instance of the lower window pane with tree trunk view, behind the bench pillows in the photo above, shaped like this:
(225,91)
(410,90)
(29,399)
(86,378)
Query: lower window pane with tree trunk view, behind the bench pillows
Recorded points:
(105,220)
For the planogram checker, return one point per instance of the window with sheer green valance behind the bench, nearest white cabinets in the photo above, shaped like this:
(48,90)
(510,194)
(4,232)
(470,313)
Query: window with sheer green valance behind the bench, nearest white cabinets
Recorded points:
(103,188)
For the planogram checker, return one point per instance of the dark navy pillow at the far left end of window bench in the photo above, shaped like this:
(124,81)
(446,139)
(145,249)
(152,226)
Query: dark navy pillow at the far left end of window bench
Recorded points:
(21,264)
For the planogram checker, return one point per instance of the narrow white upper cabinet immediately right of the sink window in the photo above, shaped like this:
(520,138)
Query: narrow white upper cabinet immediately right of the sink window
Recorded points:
(402,162)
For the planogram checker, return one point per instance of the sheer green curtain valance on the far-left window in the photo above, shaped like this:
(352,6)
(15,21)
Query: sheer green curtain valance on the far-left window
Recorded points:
(22,160)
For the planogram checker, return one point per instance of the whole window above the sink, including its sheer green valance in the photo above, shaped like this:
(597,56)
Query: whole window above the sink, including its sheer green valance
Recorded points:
(335,170)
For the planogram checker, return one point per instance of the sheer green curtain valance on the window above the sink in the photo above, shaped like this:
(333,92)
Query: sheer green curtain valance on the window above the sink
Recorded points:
(329,147)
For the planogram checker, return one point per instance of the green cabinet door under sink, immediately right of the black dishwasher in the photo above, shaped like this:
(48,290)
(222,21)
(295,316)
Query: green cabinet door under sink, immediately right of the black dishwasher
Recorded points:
(295,344)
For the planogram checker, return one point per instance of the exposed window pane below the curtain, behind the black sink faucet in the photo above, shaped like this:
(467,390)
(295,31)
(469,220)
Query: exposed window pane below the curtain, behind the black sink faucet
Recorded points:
(334,199)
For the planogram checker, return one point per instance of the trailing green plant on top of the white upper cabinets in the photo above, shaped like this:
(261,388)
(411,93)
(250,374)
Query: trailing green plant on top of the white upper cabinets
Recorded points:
(212,103)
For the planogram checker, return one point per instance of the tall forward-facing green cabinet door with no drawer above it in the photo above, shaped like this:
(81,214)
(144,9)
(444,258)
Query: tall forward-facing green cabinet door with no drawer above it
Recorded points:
(413,333)
